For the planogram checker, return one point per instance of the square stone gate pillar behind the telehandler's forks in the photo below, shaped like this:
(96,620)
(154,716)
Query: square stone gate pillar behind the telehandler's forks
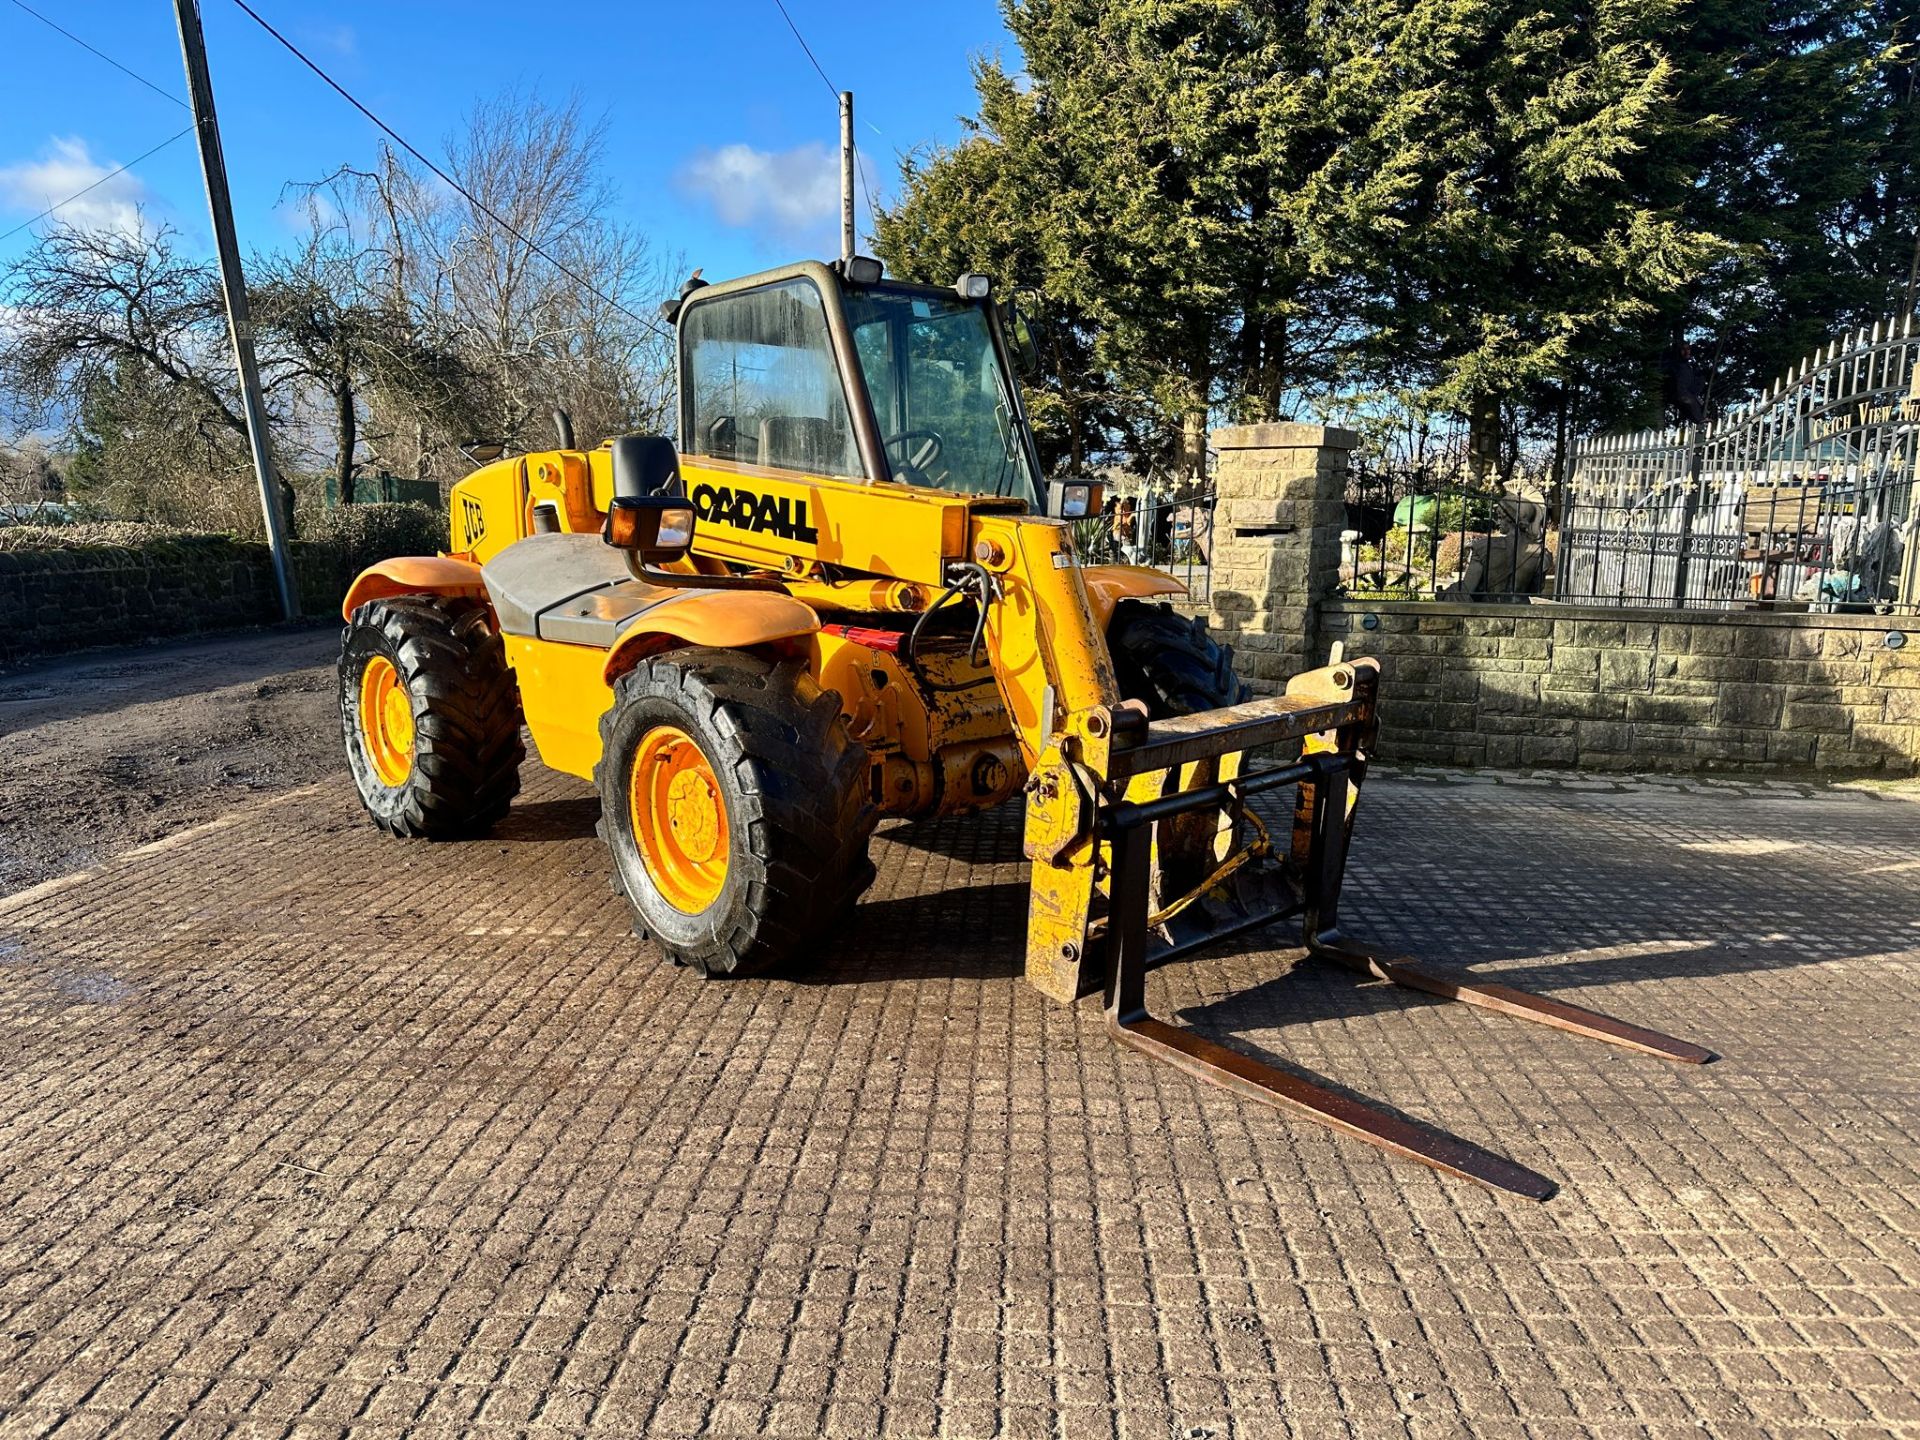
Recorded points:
(1278,521)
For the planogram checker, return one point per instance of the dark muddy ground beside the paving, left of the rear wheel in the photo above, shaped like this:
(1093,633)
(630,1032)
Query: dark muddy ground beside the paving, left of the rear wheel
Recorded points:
(110,750)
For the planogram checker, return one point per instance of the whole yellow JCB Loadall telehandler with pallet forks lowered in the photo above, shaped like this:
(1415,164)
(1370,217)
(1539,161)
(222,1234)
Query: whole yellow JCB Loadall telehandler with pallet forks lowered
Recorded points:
(850,594)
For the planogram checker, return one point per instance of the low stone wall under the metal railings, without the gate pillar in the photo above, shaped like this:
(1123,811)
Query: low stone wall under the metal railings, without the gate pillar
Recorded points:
(1662,690)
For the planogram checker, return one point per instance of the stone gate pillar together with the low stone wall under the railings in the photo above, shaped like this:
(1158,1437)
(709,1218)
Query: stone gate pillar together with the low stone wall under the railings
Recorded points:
(1547,684)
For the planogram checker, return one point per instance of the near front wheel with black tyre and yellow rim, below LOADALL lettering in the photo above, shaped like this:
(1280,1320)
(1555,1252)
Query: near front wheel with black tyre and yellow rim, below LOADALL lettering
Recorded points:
(736,807)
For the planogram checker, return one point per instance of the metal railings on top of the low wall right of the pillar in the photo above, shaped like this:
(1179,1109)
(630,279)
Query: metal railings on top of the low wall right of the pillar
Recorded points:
(1798,500)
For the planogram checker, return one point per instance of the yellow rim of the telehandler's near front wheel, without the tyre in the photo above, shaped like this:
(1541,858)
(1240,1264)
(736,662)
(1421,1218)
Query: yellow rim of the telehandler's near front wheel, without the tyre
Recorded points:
(679,819)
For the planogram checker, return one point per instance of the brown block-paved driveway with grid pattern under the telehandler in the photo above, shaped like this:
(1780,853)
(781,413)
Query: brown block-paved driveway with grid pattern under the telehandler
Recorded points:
(308,1132)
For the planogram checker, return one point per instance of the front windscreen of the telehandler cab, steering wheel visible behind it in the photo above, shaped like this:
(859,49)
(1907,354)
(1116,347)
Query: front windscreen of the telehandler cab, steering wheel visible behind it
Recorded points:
(940,395)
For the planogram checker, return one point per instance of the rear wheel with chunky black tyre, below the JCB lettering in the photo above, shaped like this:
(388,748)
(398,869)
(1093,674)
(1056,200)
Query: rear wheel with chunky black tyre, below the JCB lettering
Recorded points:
(431,717)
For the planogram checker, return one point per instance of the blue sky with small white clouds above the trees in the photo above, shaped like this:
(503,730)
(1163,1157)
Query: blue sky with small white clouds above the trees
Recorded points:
(721,133)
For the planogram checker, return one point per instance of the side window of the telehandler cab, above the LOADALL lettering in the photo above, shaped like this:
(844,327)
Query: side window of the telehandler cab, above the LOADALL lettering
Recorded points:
(763,387)
